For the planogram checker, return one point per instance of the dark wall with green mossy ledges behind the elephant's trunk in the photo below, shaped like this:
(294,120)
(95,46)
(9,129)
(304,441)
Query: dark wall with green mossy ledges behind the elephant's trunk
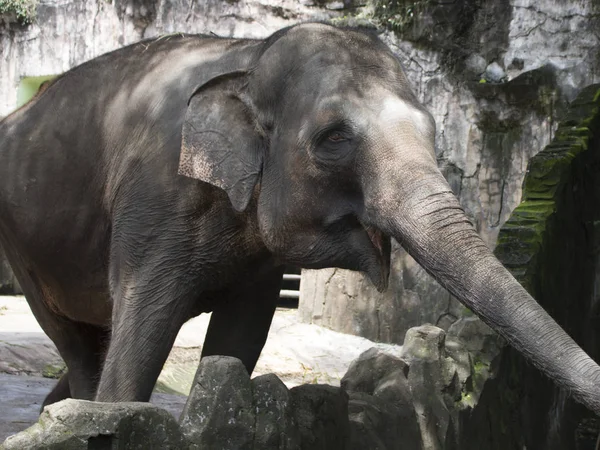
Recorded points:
(551,244)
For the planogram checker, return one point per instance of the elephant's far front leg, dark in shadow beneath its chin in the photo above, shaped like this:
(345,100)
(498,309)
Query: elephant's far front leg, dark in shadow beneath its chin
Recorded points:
(240,324)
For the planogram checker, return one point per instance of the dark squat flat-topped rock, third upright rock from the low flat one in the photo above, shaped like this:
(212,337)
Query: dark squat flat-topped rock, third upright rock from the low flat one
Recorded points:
(322,416)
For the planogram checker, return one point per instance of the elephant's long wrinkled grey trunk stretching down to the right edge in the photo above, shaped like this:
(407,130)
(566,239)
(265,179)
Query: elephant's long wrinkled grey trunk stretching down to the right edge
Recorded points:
(422,214)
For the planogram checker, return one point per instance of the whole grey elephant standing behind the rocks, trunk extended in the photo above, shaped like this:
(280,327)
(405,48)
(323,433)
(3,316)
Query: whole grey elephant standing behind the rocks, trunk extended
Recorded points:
(177,175)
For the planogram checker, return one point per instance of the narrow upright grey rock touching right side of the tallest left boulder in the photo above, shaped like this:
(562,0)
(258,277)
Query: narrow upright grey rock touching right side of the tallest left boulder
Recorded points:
(276,427)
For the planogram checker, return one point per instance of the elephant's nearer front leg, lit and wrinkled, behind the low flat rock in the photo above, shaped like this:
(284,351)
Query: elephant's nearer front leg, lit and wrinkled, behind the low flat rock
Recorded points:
(151,300)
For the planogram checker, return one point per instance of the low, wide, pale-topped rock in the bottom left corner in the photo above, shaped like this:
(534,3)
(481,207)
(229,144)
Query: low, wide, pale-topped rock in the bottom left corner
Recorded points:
(82,425)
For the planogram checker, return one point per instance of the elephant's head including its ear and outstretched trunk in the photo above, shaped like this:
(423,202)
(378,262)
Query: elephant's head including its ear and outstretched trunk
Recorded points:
(322,133)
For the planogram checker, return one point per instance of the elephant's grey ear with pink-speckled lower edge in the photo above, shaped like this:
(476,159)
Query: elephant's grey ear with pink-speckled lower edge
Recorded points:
(221,144)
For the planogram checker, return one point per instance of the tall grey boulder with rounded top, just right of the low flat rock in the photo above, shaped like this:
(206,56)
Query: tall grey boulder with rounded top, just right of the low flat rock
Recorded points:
(218,413)
